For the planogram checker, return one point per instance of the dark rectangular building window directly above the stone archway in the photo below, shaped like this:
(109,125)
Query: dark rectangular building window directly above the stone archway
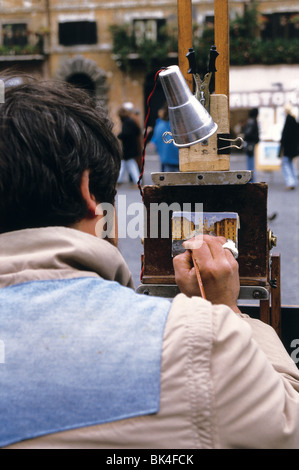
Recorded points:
(74,33)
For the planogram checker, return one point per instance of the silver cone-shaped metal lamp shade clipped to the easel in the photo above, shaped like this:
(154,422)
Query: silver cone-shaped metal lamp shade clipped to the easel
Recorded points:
(190,122)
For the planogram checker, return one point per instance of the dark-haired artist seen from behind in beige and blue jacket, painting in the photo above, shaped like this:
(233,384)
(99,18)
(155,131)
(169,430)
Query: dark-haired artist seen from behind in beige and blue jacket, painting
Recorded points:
(88,362)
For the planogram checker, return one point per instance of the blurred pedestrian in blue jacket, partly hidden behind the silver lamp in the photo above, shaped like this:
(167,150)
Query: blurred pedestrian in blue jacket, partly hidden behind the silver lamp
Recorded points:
(168,153)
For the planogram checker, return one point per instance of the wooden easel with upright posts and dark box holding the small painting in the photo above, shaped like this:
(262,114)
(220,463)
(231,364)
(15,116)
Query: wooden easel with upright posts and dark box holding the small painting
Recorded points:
(202,171)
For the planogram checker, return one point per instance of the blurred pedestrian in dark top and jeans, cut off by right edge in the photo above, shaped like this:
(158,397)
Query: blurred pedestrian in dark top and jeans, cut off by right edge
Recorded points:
(289,148)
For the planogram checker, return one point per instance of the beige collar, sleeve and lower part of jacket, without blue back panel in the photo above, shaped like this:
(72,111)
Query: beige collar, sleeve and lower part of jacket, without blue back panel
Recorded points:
(226,380)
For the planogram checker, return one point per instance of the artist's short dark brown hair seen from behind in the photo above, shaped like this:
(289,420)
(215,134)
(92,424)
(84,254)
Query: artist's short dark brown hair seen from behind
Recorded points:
(50,133)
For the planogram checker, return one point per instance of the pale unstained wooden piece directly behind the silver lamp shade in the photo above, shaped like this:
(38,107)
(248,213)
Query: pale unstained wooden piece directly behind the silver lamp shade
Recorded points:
(204,157)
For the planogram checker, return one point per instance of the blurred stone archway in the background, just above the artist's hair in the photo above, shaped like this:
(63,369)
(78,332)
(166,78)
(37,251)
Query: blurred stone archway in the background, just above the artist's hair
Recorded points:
(86,74)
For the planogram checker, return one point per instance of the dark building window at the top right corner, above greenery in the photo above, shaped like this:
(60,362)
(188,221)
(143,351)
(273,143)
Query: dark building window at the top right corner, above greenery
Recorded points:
(280,25)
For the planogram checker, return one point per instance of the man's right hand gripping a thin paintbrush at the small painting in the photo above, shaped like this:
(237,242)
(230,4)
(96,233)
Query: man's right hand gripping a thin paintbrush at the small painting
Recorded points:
(218,269)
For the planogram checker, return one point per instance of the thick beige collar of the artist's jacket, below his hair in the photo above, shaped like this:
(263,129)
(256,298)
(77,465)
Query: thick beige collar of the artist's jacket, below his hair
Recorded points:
(58,252)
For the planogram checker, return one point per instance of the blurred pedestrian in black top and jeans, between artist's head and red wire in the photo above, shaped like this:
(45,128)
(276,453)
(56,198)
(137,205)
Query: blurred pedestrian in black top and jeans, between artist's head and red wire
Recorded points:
(130,138)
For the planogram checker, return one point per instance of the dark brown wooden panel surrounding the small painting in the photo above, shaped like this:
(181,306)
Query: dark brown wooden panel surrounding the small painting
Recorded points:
(248,200)
